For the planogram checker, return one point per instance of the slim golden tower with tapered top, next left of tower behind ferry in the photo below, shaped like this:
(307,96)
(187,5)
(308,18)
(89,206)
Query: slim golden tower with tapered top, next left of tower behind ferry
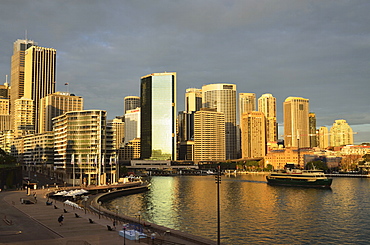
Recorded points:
(267,105)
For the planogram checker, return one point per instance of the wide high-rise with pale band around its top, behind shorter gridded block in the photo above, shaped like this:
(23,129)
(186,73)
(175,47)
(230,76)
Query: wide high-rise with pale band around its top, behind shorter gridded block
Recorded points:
(222,97)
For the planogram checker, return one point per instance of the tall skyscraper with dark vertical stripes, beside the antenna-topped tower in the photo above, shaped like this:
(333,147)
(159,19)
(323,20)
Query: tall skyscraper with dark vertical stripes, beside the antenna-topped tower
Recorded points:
(39,77)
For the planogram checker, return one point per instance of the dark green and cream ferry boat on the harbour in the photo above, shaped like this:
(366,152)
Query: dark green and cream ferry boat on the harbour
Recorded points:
(291,176)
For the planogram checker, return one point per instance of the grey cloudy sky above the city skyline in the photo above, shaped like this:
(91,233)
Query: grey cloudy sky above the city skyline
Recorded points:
(315,49)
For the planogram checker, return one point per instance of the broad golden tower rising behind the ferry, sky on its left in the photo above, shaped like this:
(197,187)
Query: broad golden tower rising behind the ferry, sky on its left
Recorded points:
(296,122)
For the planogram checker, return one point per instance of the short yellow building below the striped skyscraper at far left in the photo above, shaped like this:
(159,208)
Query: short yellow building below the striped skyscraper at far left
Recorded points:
(23,117)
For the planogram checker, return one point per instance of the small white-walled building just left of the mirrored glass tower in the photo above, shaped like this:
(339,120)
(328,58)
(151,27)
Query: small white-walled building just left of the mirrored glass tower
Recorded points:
(132,124)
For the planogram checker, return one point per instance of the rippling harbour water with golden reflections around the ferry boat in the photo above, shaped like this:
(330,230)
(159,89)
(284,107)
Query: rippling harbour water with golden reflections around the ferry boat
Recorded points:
(253,212)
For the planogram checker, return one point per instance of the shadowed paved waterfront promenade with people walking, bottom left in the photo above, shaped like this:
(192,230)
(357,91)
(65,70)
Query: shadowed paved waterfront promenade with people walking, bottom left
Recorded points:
(37,224)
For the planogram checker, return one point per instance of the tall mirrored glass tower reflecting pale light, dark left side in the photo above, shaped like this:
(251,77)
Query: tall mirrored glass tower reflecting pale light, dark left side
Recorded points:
(158,116)
